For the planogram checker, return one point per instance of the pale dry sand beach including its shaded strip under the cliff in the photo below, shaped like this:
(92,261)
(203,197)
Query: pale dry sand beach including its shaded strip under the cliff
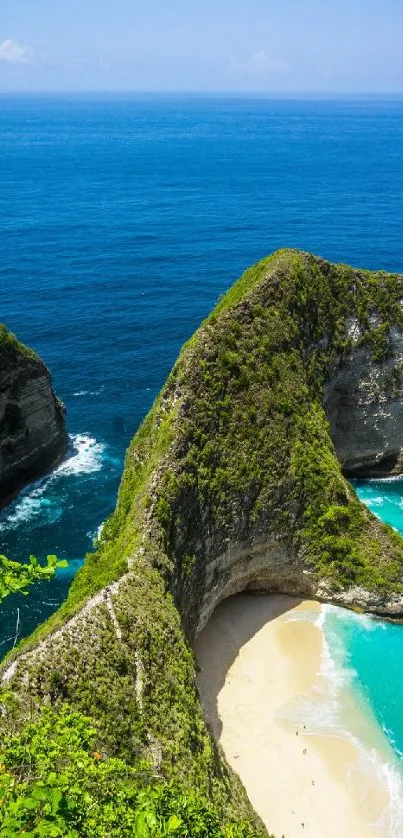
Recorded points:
(255,664)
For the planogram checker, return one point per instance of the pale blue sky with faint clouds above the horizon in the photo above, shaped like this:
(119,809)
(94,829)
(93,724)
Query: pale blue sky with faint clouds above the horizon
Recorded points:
(209,45)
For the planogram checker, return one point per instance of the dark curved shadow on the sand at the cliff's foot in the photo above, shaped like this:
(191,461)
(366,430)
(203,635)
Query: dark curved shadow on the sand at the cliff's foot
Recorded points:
(233,623)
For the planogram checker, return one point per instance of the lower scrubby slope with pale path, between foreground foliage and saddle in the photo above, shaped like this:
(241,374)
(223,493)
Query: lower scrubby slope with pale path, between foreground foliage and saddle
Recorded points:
(140,690)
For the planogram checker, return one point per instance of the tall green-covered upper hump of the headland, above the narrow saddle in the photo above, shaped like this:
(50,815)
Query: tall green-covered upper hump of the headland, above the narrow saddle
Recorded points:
(238,446)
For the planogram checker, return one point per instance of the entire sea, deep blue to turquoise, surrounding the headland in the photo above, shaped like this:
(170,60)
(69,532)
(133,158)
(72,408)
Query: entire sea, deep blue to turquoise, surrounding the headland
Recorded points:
(123,220)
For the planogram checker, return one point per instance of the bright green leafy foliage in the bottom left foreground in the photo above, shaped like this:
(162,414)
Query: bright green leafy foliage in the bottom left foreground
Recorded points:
(55,782)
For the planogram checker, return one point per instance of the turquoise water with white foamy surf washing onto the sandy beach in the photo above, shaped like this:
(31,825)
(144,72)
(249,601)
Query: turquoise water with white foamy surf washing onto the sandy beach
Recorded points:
(362,669)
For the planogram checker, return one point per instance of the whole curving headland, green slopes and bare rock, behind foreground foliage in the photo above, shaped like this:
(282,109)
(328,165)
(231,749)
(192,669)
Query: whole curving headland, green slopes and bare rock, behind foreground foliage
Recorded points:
(233,482)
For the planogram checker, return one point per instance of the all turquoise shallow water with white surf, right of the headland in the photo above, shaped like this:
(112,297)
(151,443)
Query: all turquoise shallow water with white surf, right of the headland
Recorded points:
(363,663)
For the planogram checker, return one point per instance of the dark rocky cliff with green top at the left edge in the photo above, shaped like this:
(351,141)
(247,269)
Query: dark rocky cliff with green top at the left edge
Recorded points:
(33,435)
